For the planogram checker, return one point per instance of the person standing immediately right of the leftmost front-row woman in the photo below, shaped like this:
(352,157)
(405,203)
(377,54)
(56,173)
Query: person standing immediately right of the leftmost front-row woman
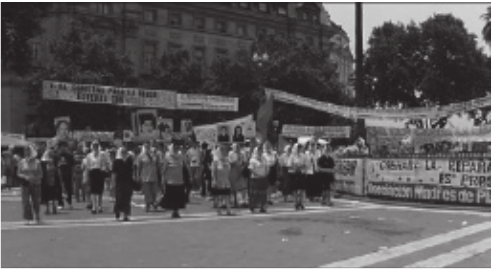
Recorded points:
(49,188)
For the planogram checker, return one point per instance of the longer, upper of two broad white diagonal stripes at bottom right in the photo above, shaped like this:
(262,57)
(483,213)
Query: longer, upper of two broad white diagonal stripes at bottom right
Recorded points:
(395,252)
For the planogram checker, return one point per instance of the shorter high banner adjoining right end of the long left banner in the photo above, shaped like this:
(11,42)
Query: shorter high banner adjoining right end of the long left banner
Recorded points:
(206,102)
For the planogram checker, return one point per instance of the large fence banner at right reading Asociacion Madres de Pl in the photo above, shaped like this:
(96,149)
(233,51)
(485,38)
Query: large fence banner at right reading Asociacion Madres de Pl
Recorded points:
(466,181)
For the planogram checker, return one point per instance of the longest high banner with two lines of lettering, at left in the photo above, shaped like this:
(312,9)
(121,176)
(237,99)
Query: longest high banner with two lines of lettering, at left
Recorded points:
(97,94)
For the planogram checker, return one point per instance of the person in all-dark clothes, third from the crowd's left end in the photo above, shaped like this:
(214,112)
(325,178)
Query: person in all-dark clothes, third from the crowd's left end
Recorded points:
(65,163)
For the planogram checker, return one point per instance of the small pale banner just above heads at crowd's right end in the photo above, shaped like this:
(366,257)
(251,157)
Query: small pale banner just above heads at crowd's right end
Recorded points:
(326,132)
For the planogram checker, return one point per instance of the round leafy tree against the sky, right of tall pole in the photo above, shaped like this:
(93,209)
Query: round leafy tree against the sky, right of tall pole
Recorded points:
(434,63)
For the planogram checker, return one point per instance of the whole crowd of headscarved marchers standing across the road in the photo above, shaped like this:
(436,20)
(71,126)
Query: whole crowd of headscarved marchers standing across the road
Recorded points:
(231,176)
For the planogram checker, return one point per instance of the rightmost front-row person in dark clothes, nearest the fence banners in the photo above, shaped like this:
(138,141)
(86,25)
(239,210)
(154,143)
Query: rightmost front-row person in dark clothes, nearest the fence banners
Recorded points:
(326,175)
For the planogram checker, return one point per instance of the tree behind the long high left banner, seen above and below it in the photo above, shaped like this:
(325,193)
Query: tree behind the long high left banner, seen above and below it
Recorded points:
(83,55)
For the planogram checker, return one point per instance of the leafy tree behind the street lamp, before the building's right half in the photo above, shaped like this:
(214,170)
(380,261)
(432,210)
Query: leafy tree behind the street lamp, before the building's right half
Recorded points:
(286,65)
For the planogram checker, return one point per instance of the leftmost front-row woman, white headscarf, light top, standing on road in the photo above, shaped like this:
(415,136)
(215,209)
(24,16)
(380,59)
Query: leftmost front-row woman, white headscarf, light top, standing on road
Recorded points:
(30,173)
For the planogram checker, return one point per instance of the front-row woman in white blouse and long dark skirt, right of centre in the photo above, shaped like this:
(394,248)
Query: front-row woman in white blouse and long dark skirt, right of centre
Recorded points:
(259,183)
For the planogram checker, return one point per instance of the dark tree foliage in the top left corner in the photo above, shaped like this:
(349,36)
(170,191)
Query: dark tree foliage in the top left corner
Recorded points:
(20,23)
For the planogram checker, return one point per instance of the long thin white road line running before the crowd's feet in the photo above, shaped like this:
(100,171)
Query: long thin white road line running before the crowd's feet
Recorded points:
(187,218)
